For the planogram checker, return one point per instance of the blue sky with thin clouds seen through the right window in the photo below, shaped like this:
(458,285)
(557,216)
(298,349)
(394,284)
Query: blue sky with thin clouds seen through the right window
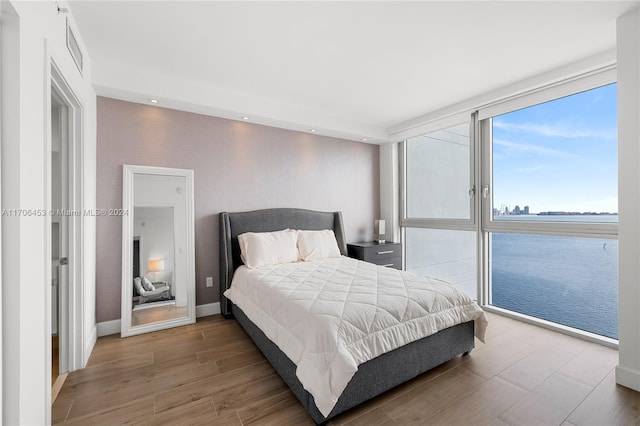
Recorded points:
(560,155)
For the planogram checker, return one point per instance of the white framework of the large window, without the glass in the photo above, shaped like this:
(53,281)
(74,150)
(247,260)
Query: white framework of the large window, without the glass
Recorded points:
(481,168)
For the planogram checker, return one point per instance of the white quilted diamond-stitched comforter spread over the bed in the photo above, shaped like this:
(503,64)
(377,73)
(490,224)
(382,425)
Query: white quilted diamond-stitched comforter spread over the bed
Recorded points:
(329,316)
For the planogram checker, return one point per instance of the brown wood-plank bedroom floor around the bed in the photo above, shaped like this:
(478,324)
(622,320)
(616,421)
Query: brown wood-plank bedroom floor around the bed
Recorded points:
(211,373)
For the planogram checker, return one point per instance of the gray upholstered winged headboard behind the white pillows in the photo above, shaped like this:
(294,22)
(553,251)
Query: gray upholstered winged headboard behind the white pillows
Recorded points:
(234,224)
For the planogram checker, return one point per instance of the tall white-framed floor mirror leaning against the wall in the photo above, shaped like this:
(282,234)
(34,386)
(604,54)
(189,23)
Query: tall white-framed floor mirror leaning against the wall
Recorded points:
(158,266)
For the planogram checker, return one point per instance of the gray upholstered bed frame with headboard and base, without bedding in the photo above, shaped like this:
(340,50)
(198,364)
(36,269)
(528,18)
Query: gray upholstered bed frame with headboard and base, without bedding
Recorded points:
(374,376)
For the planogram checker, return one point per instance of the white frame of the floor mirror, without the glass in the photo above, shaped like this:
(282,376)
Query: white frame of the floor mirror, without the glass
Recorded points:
(129,172)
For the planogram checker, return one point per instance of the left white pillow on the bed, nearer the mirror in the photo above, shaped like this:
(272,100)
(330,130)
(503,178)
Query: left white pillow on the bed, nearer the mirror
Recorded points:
(259,249)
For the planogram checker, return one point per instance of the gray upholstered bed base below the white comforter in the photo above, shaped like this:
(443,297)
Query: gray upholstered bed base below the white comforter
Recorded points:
(373,377)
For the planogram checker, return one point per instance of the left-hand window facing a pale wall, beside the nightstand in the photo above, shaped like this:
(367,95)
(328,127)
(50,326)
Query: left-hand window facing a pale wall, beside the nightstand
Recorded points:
(439,232)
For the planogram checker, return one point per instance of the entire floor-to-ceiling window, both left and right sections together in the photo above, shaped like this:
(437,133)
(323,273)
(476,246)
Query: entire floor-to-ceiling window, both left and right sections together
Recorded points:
(543,239)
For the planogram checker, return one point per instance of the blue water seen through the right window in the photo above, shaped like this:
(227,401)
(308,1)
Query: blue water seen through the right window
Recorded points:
(567,280)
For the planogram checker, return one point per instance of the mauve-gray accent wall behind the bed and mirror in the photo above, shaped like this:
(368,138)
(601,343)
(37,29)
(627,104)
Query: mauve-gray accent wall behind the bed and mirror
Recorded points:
(237,166)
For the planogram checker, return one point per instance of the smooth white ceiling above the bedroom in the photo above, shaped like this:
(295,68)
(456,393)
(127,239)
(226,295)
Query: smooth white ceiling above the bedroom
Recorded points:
(347,69)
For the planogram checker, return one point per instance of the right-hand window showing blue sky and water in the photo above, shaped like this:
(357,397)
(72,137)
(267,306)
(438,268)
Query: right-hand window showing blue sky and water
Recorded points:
(551,213)
